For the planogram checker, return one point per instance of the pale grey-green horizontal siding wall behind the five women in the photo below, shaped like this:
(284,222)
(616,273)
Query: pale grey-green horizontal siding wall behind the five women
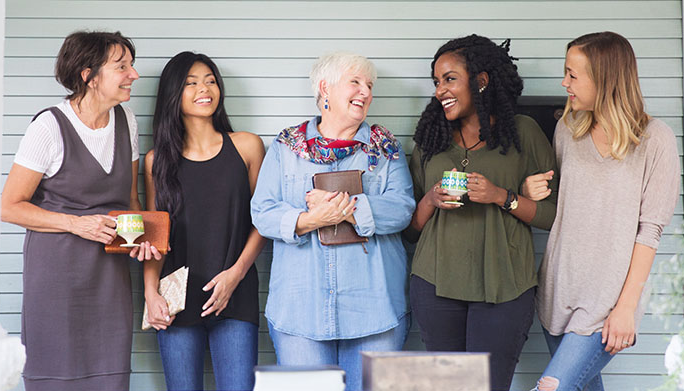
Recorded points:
(265,51)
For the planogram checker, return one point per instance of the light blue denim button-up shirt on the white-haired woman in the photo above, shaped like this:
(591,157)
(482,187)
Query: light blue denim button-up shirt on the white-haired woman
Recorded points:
(334,292)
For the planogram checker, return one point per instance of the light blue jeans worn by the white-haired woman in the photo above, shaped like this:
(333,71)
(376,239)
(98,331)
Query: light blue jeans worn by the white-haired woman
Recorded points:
(294,350)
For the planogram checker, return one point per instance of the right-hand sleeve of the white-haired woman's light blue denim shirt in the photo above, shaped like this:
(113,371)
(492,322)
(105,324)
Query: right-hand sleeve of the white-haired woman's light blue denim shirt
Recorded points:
(390,211)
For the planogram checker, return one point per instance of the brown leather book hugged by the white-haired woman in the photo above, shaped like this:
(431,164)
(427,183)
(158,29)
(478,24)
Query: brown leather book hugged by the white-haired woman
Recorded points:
(343,181)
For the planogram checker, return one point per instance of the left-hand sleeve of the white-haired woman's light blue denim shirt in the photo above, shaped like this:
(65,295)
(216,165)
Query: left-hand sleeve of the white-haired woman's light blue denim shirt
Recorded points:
(273,217)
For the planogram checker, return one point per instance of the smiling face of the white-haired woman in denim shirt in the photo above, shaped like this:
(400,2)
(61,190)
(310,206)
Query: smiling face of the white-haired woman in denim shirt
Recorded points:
(350,97)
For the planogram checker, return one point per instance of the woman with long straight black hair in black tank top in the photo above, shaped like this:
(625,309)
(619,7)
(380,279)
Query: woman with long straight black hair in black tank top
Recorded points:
(203,173)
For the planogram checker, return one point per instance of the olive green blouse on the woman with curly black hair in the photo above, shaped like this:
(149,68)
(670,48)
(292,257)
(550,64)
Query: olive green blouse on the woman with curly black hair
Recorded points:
(479,252)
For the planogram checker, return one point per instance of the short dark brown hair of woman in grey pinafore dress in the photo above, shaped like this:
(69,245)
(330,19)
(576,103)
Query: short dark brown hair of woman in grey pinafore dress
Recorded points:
(86,49)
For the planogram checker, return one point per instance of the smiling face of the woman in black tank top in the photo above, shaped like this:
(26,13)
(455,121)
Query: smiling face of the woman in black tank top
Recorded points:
(201,93)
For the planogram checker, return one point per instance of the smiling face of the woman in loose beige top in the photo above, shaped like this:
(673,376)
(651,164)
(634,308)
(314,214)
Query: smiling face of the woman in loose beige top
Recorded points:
(578,82)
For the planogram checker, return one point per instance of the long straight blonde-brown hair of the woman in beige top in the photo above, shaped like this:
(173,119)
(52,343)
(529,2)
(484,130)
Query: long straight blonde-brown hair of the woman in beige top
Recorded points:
(619,106)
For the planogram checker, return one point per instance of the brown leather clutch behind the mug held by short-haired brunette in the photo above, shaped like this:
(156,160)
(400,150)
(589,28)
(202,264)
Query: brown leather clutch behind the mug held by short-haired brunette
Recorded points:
(157,230)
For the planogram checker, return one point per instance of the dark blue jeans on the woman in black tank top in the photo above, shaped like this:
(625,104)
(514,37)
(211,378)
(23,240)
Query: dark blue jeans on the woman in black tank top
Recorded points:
(233,347)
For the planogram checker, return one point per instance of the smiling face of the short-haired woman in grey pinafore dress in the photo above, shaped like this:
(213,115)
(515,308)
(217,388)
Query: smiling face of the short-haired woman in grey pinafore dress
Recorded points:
(114,79)
